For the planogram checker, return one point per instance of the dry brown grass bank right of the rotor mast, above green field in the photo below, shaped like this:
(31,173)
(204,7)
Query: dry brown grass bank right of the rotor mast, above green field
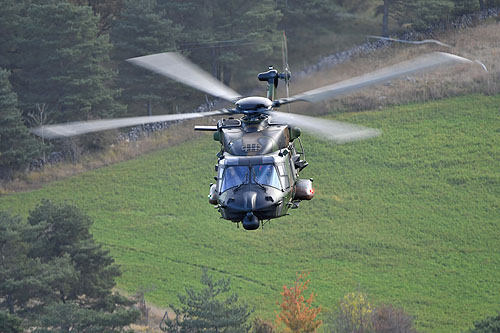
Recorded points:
(479,42)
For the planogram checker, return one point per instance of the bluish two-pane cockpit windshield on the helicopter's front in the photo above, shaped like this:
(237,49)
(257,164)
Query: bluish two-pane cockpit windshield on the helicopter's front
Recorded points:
(264,174)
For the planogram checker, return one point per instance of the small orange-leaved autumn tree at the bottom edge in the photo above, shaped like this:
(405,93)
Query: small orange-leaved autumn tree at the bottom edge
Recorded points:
(297,313)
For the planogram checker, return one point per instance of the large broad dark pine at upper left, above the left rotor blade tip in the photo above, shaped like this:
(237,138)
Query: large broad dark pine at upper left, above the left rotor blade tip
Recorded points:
(61,61)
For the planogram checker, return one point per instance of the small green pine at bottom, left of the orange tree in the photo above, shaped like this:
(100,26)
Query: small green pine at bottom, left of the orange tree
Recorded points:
(208,310)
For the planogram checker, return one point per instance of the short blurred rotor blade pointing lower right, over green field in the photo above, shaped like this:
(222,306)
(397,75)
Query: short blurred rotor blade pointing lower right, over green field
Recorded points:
(336,131)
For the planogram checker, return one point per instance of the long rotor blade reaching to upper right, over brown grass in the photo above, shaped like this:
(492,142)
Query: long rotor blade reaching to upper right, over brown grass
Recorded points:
(419,64)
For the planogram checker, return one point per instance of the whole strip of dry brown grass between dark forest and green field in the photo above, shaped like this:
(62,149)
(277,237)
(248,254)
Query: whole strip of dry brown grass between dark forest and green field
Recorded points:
(477,42)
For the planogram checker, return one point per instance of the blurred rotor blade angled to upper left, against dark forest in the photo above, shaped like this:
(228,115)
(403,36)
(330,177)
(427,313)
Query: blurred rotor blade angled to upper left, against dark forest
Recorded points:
(176,67)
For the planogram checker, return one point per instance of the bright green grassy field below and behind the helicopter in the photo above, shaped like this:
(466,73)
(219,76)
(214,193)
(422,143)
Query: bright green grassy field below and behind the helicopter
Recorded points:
(410,218)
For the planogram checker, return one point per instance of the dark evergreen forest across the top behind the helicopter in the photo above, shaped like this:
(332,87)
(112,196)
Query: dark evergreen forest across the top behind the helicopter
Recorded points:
(63,60)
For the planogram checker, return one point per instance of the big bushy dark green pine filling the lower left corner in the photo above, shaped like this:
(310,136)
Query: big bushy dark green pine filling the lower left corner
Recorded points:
(54,275)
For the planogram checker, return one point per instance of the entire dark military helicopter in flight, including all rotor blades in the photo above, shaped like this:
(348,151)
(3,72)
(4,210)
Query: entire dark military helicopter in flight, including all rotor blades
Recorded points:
(261,153)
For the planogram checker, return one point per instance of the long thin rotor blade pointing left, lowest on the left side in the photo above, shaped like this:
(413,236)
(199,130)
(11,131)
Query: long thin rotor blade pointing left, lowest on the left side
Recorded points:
(82,127)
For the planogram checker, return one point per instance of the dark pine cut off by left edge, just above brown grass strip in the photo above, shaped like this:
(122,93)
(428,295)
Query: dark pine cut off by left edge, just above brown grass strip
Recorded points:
(17,145)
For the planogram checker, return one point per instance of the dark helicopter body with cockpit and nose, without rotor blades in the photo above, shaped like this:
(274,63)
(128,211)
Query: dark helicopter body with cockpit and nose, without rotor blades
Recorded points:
(257,171)
